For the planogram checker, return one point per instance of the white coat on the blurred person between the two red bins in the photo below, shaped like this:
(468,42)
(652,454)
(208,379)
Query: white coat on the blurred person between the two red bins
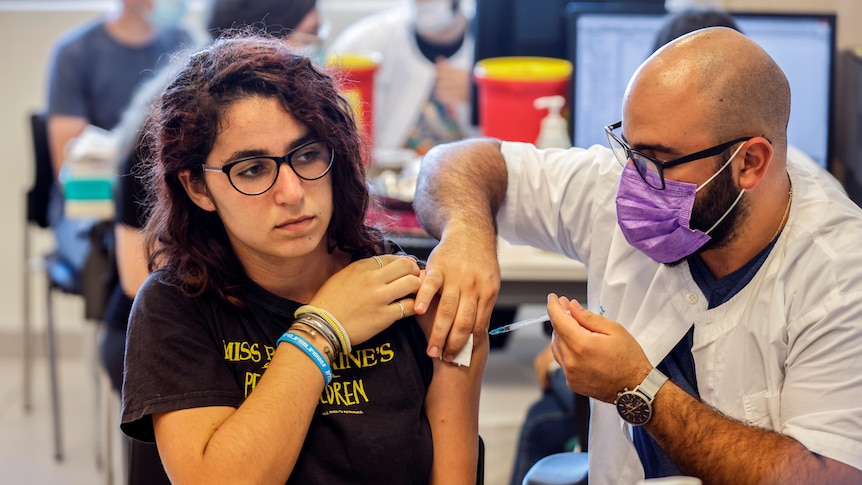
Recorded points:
(405,78)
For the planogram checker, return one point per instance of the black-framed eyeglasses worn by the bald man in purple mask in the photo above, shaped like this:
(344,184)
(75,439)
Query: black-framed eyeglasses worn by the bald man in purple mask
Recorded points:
(650,168)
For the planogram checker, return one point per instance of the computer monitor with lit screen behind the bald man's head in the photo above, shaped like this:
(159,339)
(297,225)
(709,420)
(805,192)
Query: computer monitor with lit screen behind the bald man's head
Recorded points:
(609,46)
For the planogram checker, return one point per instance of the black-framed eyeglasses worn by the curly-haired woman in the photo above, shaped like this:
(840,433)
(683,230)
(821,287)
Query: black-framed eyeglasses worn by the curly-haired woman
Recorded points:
(256,174)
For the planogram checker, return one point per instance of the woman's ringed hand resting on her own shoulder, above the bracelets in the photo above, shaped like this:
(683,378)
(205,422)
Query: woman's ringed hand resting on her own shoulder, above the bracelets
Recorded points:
(368,295)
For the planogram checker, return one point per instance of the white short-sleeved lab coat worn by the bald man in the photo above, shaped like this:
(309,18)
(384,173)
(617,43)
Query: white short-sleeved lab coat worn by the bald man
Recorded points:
(783,354)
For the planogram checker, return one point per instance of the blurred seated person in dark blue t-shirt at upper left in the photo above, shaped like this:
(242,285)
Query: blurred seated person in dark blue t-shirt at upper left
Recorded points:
(94,72)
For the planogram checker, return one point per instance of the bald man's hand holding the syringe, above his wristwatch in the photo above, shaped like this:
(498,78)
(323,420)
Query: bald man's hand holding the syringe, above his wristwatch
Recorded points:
(598,356)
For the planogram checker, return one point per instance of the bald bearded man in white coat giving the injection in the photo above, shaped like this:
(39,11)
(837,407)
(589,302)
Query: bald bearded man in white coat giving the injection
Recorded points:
(722,330)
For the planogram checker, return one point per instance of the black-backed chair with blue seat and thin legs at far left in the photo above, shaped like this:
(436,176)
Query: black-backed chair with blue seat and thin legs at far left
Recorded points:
(90,283)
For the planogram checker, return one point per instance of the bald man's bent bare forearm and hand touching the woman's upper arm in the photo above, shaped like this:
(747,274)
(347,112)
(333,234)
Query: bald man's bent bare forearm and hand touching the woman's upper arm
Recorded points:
(459,190)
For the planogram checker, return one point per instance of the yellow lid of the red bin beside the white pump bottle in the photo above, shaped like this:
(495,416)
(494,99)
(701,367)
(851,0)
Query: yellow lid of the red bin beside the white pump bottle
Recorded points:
(523,69)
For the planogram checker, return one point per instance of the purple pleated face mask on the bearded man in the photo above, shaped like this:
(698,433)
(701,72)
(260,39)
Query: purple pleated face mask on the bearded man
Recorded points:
(656,222)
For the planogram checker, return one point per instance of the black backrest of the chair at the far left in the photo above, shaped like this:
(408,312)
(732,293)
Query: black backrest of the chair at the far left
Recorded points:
(39,193)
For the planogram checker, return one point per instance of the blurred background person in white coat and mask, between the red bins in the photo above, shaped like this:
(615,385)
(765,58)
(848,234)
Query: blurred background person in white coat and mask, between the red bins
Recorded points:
(421,89)
